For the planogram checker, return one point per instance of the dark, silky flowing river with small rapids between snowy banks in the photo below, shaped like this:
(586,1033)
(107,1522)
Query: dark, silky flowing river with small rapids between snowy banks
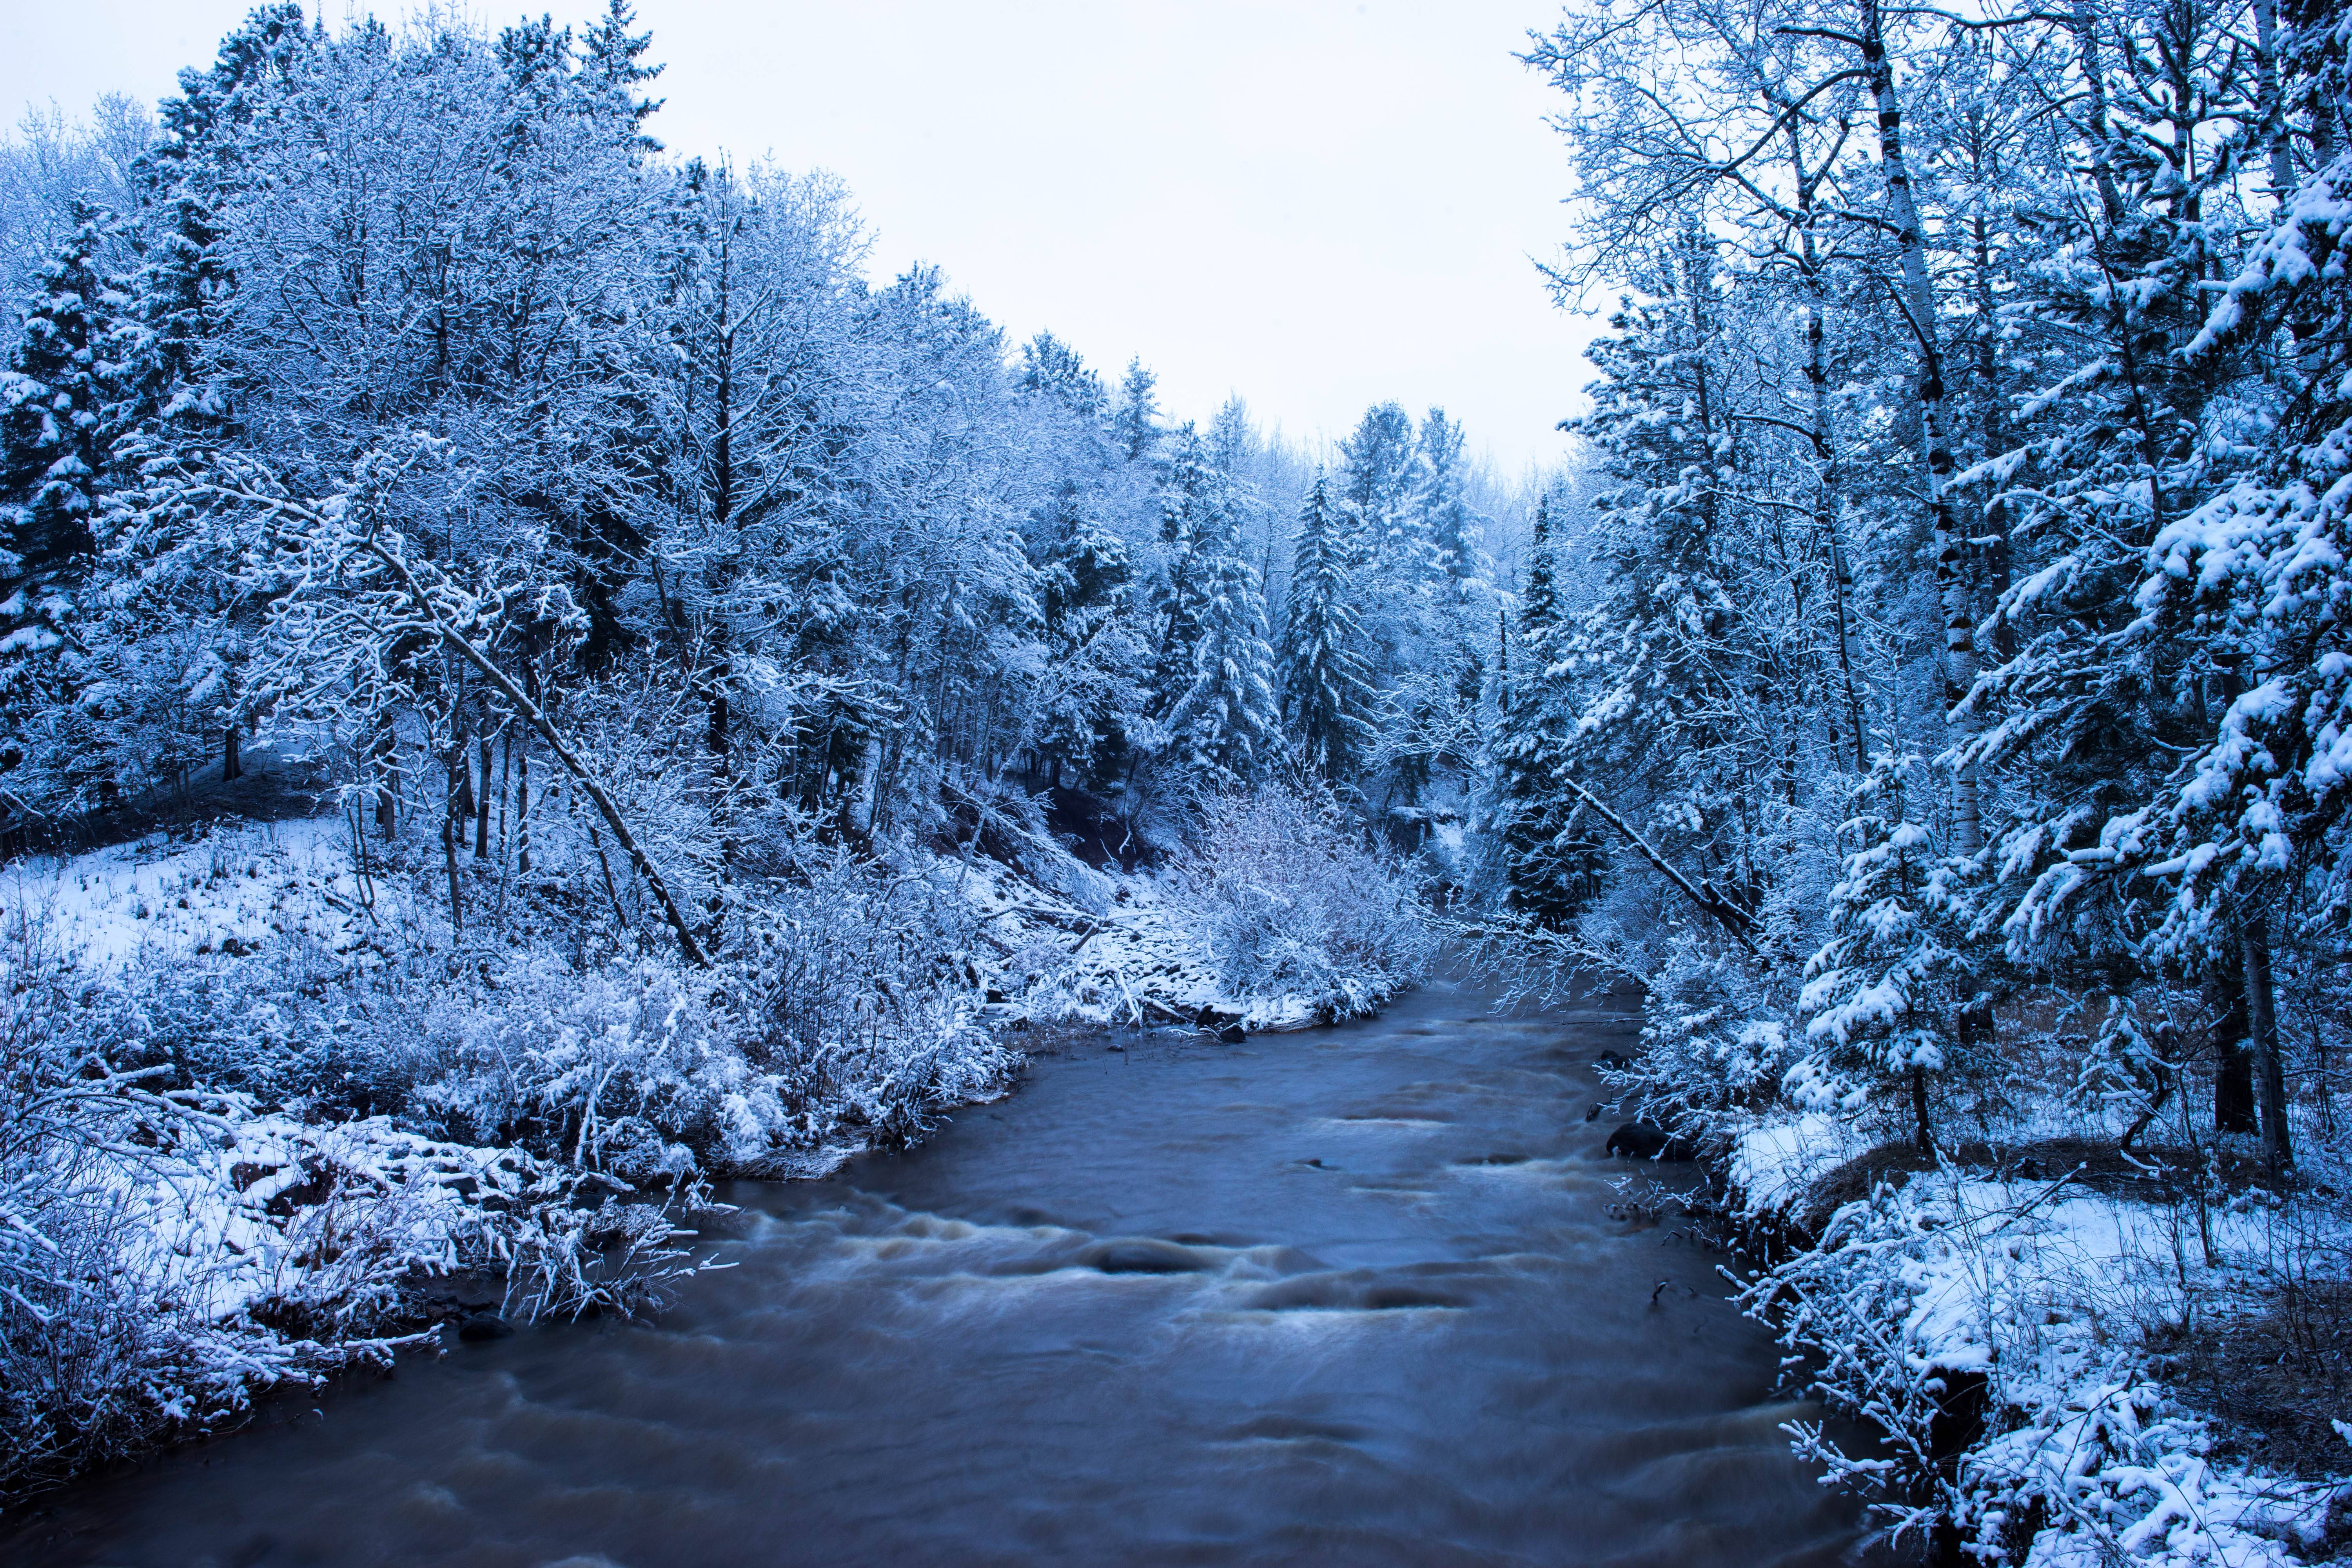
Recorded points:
(1349,1296)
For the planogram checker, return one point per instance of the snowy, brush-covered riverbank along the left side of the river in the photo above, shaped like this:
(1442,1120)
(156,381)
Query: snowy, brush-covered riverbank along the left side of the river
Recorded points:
(269,1085)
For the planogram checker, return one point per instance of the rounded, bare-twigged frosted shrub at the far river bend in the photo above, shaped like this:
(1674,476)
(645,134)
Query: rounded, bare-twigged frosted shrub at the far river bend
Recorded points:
(1288,902)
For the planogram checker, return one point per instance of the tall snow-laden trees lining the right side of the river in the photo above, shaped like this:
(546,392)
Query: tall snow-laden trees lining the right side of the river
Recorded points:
(1953,659)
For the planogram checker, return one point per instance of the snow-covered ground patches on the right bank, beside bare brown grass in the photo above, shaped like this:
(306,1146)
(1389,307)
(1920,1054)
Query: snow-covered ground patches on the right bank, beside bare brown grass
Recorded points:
(2040,1294)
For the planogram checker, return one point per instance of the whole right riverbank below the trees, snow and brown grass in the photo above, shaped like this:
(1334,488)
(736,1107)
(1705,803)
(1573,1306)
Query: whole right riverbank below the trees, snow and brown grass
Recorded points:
(2073,1355)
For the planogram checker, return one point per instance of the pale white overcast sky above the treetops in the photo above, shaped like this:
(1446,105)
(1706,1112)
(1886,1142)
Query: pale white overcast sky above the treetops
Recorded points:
(1311,203)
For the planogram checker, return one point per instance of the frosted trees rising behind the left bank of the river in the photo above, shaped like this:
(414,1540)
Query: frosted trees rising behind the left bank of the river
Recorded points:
(408,389)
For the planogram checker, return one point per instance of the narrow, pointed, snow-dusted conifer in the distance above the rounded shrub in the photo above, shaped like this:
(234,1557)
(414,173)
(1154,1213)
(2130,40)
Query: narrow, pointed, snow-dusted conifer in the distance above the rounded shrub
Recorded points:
(1325,688)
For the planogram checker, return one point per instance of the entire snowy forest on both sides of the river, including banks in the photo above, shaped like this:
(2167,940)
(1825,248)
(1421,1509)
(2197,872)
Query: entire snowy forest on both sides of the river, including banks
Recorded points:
(535,685)
